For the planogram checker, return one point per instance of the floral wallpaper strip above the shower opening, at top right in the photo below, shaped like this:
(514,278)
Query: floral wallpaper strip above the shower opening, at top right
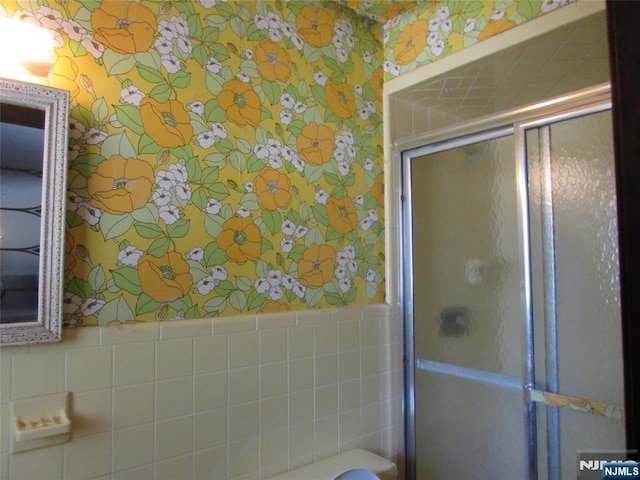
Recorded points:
(433,30)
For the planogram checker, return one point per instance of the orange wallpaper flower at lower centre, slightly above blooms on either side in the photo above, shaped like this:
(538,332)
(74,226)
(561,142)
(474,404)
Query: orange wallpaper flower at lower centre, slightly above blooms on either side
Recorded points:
(240,239)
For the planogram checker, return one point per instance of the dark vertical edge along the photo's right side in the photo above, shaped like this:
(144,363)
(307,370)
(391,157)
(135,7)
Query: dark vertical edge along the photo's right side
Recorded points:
(623,19)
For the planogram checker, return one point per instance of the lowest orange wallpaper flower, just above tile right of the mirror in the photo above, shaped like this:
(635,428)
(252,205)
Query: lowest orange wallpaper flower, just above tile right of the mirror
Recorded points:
(164,279)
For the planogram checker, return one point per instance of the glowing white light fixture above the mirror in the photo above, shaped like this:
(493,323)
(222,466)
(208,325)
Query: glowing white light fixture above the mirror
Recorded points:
(27,50)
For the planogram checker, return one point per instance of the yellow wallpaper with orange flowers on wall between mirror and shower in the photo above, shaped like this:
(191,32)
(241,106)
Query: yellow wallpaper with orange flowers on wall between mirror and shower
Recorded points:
(225,156)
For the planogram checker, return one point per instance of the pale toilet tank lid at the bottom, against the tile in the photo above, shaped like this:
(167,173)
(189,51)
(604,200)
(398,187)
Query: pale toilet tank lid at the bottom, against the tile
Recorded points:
(330,467)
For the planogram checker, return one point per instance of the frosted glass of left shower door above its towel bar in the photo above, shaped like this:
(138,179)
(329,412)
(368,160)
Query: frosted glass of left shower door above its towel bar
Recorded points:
(466,264)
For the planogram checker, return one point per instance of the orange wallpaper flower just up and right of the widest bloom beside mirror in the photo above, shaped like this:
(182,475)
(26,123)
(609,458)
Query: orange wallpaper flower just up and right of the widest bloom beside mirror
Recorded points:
(168,123)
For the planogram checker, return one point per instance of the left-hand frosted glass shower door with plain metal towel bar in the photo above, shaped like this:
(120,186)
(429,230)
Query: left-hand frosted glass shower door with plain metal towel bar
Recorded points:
(467,326)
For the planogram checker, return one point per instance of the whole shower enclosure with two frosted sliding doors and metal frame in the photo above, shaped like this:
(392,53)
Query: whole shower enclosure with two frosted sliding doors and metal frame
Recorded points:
(511,294)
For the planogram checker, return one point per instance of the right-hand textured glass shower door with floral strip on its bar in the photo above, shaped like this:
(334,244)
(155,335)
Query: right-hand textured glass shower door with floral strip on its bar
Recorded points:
(576,303)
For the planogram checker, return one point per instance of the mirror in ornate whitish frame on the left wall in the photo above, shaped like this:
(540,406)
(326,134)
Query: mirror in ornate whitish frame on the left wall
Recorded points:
(33,167)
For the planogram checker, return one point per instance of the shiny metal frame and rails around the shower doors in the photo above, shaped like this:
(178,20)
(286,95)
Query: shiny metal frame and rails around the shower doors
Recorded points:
(513,122)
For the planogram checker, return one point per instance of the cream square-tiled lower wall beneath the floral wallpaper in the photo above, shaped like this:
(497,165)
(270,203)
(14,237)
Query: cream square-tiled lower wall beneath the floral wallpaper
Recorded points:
(236,398)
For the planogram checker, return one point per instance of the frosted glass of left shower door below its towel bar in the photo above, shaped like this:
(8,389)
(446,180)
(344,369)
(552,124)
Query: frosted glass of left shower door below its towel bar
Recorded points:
(469,430)
